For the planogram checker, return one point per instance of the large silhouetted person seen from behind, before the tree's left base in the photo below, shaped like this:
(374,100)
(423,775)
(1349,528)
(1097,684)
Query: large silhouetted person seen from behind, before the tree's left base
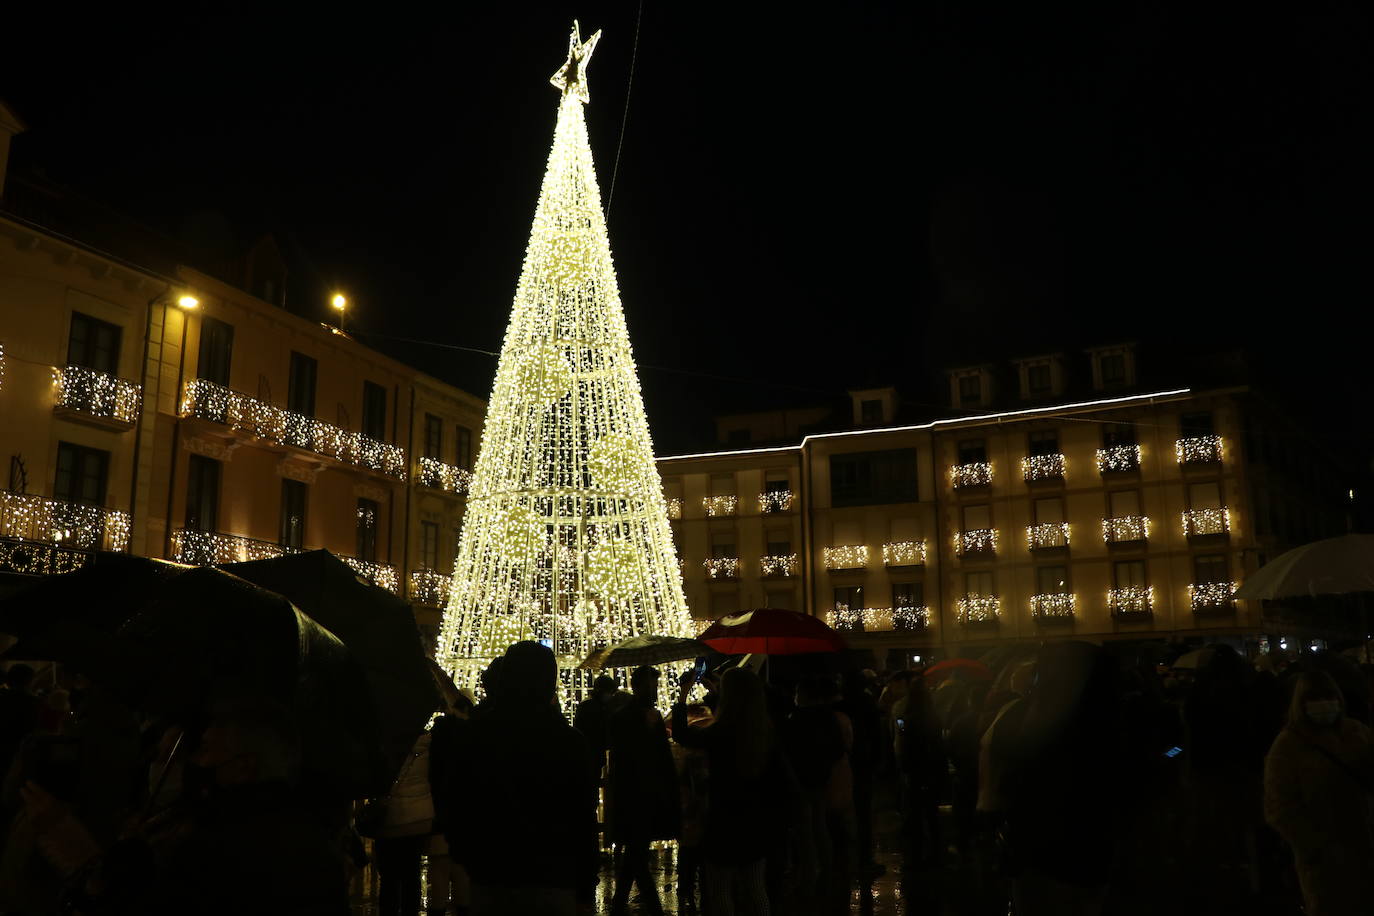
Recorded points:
(528,832)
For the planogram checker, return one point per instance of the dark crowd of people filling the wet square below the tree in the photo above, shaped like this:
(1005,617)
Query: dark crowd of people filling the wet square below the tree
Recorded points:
(1066,781)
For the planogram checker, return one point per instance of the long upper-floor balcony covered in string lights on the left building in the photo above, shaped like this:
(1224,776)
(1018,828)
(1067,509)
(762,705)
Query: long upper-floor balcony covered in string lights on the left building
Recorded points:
(218,404)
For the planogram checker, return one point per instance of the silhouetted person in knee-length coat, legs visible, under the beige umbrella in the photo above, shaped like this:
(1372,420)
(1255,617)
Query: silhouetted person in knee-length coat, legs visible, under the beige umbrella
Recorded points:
(642,790)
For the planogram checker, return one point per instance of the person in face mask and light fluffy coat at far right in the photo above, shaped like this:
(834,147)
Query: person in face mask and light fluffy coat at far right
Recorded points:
(1320,797)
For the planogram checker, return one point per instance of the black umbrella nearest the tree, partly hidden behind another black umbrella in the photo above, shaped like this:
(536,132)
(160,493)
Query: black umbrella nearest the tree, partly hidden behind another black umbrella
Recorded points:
(377,627)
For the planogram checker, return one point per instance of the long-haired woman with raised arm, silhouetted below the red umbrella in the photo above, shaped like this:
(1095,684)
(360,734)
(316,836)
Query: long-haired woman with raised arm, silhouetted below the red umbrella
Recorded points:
(750,793)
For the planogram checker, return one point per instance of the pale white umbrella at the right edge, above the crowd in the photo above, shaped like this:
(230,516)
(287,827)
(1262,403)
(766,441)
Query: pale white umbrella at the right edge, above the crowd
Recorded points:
(1335,566)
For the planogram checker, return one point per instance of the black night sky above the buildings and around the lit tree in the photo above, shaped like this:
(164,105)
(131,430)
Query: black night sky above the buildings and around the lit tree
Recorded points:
(804,201)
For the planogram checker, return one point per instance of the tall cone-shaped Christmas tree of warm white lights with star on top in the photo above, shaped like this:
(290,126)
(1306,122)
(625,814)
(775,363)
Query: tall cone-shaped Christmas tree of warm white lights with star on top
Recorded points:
(567,538)
